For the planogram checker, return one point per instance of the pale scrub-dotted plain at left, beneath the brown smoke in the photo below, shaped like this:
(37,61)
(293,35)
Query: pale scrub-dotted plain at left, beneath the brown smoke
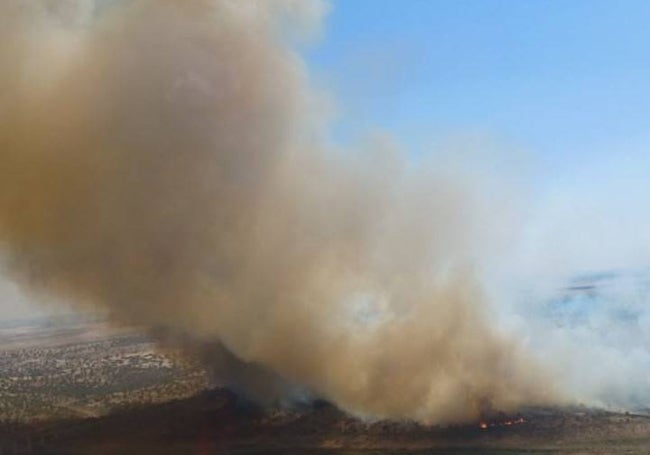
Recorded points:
(85,369)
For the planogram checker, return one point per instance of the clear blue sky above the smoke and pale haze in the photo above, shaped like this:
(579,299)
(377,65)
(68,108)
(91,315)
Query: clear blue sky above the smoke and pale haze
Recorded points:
(568,80)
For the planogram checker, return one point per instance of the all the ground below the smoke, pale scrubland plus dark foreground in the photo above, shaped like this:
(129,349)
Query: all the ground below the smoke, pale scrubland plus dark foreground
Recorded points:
(84,388)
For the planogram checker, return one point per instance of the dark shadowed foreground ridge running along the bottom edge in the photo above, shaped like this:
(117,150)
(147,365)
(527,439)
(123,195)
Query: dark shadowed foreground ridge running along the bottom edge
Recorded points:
(217,422)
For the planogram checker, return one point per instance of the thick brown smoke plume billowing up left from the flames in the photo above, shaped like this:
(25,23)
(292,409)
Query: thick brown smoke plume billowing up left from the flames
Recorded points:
(165,160)
